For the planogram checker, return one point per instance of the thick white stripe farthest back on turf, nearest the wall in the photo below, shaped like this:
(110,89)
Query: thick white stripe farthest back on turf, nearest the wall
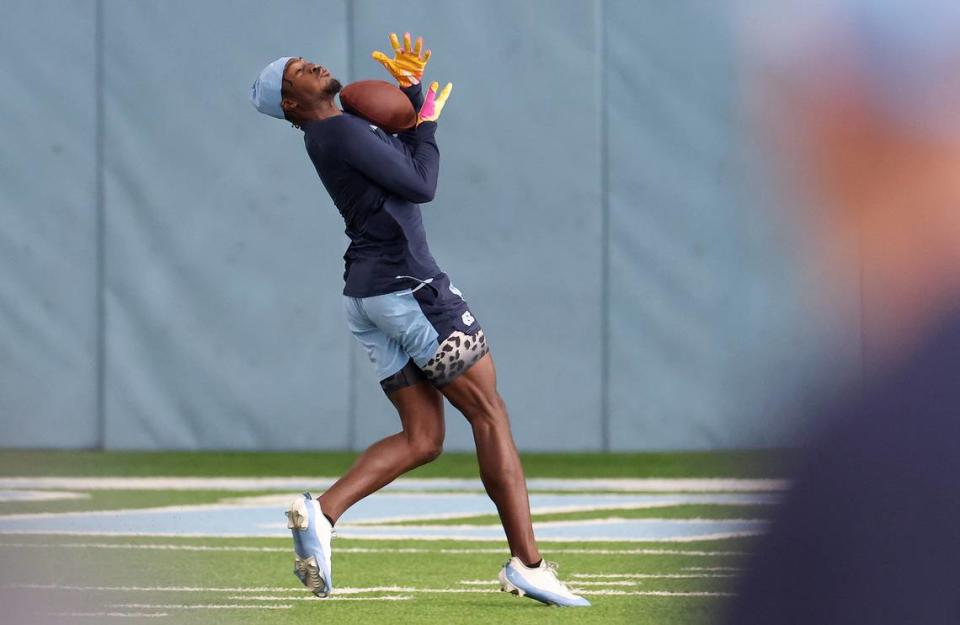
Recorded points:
(295,483)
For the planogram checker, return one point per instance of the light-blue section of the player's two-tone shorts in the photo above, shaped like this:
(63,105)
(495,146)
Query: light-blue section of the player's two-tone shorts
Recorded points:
(392,329)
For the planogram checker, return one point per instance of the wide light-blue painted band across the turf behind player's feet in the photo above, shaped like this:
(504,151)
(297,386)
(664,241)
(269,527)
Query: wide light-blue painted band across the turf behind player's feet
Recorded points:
(363,520)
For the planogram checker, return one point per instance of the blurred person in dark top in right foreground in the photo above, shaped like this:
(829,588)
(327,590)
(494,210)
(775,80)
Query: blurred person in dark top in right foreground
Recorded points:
(860,102)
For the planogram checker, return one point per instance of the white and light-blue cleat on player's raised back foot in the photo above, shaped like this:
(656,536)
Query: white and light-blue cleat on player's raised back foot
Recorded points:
(311,542)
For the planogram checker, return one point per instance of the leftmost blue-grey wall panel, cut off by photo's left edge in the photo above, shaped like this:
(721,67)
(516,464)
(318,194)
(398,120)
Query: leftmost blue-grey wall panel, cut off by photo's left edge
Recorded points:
(48,217)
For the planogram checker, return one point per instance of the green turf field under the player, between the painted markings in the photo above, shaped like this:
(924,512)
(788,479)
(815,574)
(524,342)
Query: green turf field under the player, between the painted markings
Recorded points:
(91,577)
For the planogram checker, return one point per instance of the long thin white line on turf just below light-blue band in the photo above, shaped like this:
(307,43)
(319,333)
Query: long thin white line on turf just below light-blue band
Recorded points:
(454,551)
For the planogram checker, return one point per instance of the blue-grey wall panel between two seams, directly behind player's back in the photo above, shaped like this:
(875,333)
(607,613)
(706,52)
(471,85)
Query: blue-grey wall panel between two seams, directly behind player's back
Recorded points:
(223,304)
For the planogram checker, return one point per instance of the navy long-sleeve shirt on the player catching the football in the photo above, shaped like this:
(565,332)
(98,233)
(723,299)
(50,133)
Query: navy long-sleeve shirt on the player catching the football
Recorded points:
(377,181)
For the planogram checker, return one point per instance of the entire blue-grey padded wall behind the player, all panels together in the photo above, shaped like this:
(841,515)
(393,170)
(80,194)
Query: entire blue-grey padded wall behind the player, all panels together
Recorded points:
(583,141)
